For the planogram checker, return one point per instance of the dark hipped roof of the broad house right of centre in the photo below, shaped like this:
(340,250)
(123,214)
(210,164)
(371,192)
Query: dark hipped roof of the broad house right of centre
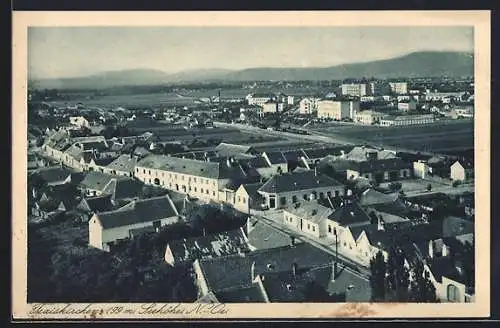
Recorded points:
(295,181)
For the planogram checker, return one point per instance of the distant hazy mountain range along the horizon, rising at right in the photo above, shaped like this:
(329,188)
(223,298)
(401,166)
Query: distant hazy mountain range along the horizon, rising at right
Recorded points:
(417,64)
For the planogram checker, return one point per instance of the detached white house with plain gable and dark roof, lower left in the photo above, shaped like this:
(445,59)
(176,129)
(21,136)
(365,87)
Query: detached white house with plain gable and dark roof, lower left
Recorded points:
(108,228)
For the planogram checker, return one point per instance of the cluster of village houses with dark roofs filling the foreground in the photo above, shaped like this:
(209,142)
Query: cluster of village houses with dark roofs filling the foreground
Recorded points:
(103,180)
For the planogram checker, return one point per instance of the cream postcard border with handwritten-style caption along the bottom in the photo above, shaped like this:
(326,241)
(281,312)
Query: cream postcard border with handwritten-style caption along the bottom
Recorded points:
(479,19)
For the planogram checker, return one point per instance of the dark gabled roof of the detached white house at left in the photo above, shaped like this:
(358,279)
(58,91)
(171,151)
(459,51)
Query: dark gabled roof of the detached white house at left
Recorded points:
(139,211)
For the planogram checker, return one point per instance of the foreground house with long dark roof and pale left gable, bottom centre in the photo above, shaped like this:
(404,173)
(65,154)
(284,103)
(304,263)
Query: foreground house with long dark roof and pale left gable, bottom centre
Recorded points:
(245,269)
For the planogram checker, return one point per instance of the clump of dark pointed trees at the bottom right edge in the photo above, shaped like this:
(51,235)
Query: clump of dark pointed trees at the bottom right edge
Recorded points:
(393,281)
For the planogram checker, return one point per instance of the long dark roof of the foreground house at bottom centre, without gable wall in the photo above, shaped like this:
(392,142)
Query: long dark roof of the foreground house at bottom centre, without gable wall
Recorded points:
(270,260)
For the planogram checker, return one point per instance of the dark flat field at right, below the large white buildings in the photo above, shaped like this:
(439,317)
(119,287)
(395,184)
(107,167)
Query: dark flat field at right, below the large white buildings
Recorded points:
(447,137)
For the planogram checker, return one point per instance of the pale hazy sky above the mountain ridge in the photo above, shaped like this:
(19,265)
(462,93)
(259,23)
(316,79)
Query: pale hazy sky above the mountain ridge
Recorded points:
(77,51)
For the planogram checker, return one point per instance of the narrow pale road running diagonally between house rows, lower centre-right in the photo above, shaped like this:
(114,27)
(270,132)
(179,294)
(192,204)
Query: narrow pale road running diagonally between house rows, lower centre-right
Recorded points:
(353,267)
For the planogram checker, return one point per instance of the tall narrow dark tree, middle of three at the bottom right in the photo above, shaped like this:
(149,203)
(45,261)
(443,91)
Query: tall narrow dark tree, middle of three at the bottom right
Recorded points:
(397,274)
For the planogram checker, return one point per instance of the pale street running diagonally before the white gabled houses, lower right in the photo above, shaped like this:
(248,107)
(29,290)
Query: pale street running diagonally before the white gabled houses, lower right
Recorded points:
(273,220)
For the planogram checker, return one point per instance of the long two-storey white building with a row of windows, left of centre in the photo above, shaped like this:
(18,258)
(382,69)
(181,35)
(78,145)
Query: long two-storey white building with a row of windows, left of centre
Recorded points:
(201,179)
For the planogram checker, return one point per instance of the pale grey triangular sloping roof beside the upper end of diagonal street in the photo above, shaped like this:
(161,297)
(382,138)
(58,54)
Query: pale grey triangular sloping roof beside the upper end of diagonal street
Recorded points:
(262,235)
